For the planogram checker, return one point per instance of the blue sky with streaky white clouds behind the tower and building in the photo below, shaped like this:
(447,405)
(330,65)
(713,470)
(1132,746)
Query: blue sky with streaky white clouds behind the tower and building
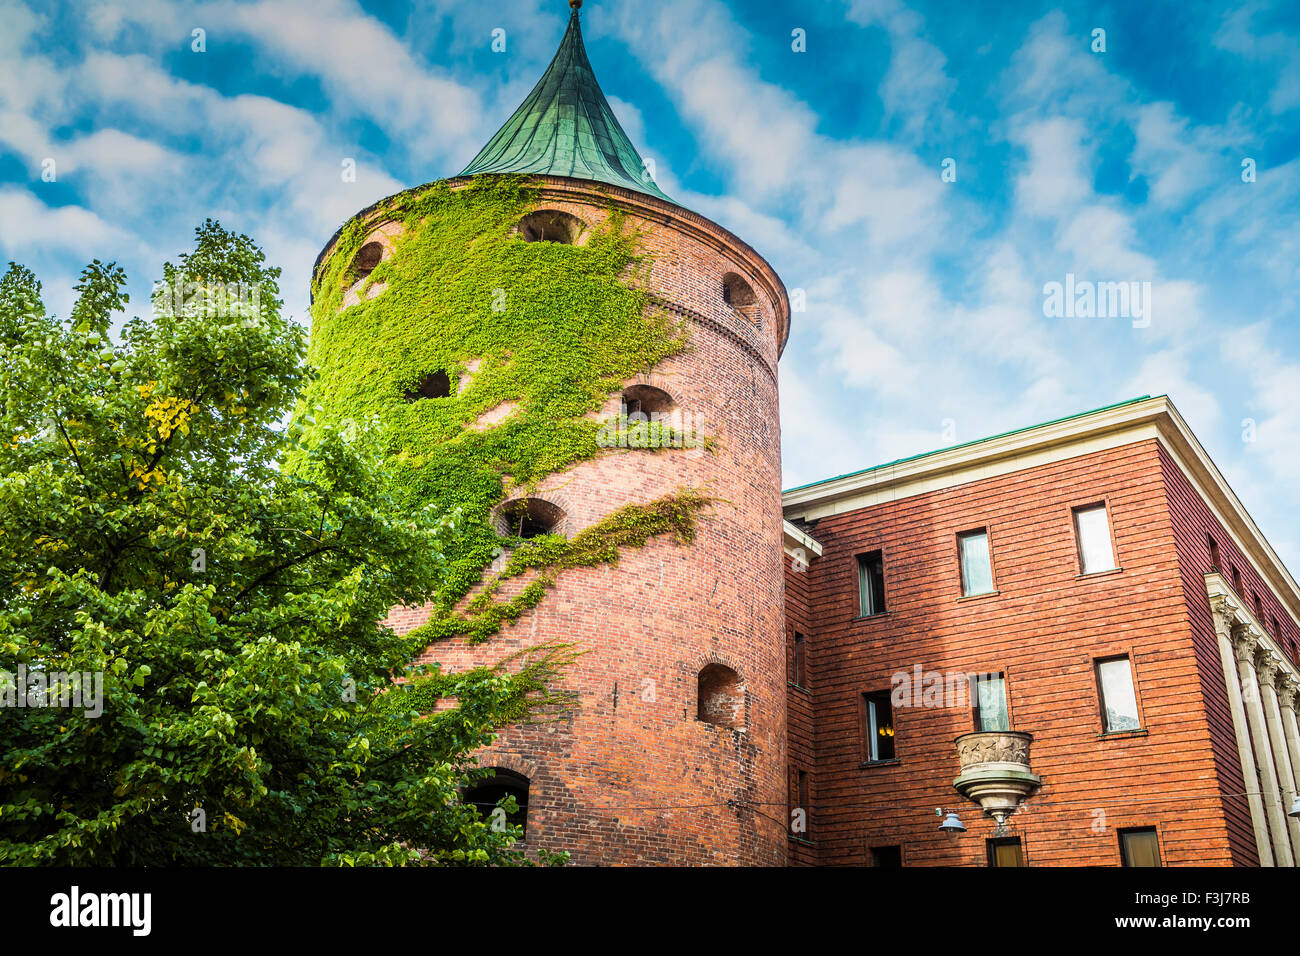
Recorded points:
(925,322)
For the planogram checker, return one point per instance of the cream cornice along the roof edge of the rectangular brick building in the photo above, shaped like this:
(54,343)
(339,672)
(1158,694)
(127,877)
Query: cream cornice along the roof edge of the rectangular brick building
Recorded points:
(1058,442)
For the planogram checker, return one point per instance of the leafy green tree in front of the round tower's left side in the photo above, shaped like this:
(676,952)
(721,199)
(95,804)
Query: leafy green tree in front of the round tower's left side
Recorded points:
(231,609)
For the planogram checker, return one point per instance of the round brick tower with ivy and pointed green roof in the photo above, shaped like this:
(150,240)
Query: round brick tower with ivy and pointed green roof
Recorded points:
(675,749)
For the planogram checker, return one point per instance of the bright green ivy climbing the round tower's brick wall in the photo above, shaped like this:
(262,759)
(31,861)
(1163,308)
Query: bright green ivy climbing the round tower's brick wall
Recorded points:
(544,331)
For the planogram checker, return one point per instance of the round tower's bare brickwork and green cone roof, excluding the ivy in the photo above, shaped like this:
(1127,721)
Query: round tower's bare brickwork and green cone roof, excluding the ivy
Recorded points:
(675,747)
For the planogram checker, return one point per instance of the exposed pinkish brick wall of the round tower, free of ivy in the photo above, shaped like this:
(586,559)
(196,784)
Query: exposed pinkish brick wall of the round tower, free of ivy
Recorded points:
(634,777)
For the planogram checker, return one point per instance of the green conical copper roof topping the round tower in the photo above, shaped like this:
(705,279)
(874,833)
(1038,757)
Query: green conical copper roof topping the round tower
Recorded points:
(566,128)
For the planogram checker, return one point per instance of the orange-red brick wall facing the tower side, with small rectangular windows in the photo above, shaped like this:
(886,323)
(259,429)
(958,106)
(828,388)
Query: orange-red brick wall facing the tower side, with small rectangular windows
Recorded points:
(1043,630)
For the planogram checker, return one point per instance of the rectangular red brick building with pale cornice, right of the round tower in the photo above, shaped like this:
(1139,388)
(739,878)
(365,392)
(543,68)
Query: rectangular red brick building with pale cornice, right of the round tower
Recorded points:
(981,555)
